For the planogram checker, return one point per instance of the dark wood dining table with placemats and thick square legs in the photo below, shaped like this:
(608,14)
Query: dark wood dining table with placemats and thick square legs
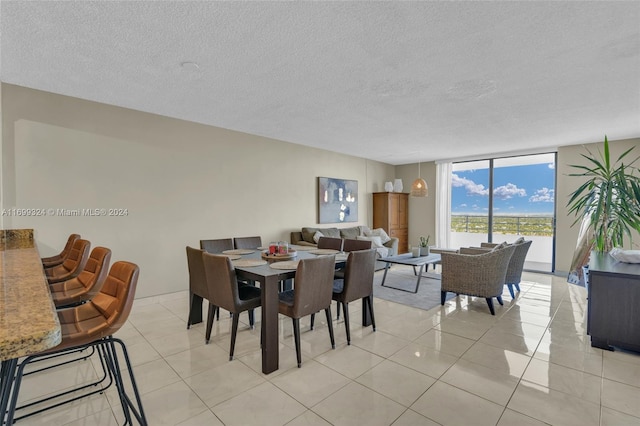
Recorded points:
(269,278)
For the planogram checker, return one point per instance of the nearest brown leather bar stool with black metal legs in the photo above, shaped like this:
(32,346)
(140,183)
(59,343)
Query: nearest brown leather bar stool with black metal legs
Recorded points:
(92,325)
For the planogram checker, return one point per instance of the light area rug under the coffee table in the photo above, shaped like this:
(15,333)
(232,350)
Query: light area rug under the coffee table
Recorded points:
(427,297)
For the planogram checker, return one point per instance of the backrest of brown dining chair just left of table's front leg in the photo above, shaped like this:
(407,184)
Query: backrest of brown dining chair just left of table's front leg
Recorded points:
(221,281)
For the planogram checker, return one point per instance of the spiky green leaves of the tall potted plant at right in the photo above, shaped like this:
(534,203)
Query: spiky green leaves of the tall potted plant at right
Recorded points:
(609,200)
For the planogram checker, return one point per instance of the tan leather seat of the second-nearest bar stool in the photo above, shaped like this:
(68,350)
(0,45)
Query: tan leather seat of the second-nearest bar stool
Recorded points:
(88,282)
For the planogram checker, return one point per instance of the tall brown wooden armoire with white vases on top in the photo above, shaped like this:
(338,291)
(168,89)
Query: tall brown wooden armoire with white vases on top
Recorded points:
(391,213)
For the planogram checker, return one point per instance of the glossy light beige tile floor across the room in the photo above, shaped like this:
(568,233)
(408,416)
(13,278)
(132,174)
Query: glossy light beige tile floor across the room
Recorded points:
(531,364)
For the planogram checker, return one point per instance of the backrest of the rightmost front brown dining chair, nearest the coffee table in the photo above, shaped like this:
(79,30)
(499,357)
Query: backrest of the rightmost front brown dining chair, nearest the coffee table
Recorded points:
(358,275)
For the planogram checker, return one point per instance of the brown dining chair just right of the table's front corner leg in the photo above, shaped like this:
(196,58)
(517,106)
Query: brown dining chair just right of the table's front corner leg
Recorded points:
(312,293)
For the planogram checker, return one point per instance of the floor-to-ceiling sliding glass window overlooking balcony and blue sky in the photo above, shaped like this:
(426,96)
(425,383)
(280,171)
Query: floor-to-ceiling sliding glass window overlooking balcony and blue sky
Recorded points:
(502,199)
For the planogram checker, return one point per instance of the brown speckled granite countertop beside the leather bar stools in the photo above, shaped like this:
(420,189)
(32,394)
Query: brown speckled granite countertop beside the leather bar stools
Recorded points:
(28,319)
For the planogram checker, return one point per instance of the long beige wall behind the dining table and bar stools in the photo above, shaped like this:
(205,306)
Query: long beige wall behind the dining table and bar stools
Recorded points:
(179,181)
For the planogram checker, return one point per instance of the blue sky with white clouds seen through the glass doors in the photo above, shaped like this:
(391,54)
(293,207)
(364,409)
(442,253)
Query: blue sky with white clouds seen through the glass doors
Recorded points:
(519,189)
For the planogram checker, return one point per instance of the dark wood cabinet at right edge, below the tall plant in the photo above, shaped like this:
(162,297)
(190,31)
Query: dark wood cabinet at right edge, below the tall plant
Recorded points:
(614,303)
